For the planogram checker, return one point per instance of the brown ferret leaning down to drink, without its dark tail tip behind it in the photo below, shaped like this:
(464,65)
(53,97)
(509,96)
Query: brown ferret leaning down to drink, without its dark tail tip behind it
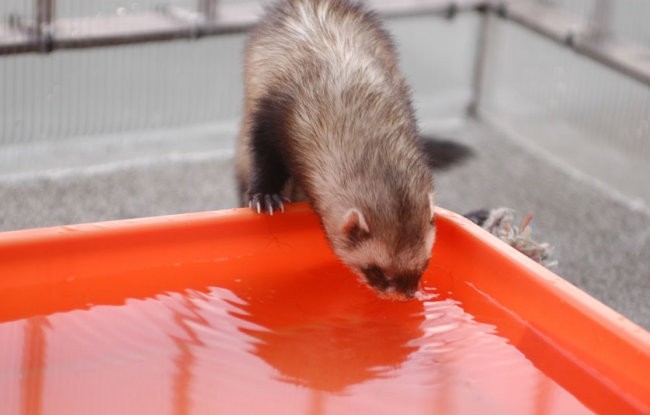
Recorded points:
(328,118)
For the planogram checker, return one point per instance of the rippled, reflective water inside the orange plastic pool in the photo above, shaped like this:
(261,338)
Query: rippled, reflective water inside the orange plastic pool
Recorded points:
(313,342)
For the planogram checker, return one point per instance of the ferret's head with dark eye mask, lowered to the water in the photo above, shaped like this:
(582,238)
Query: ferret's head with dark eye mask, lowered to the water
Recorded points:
(388,249)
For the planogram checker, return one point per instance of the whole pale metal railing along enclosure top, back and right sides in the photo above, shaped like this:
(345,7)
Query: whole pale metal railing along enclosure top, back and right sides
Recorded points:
(44,33)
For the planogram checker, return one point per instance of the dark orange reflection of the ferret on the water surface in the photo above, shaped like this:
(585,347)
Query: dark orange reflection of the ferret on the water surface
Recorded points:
(327,333)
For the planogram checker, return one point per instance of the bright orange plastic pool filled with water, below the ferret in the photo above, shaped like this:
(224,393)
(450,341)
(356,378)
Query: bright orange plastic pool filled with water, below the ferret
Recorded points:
(230,312)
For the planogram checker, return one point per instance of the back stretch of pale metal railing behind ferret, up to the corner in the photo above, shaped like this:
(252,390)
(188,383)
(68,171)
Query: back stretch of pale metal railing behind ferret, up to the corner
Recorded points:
(42,33)
